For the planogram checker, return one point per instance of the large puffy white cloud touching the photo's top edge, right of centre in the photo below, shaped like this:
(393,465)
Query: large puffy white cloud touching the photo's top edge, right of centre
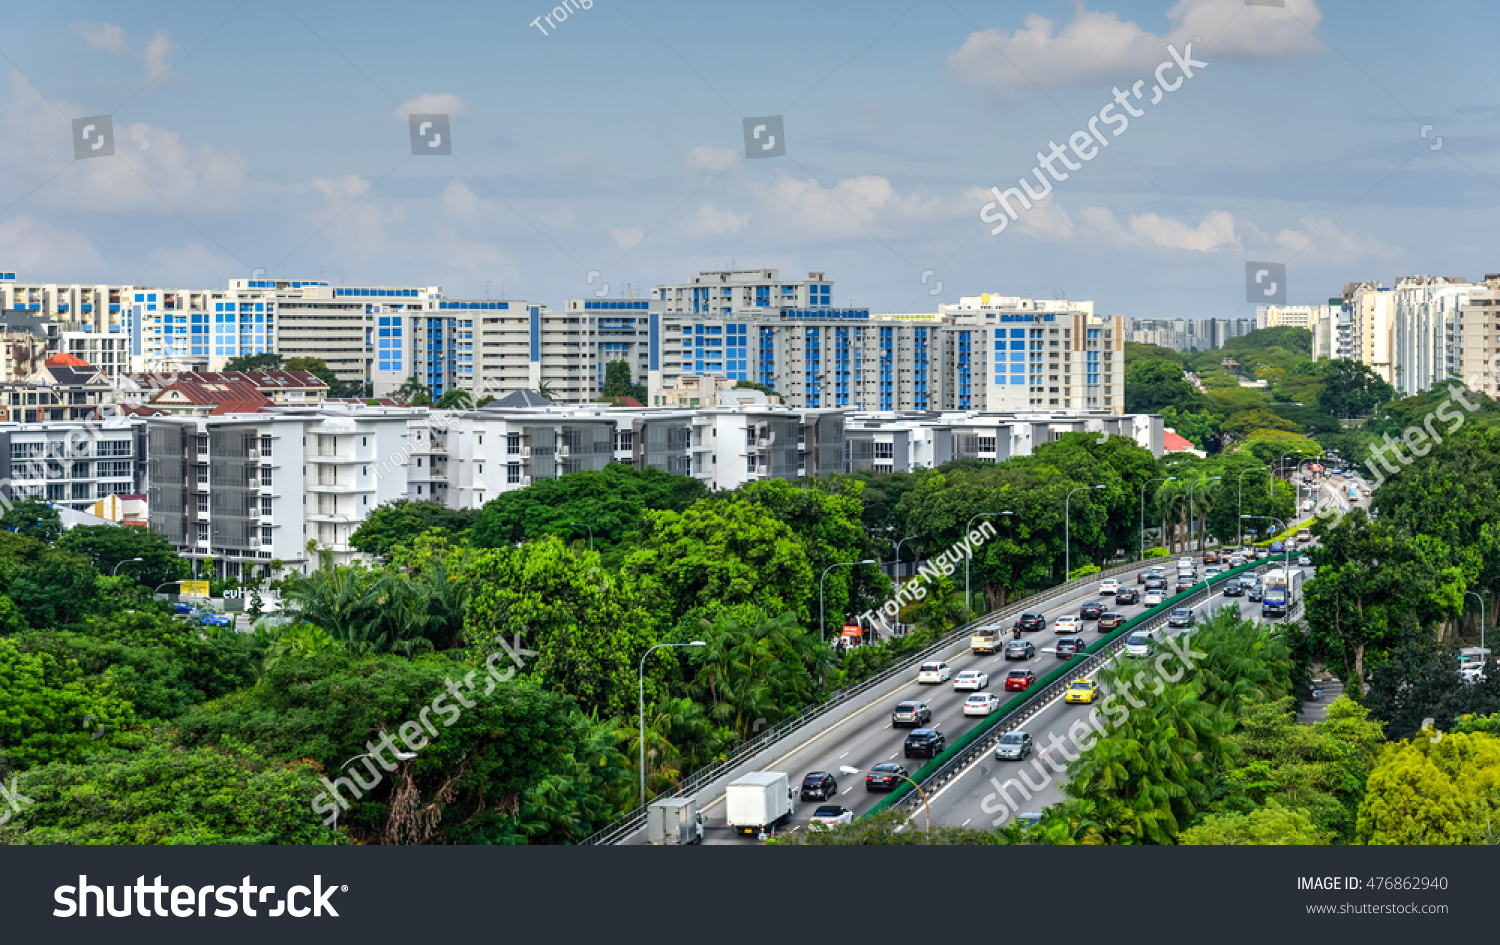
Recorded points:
(1102,49)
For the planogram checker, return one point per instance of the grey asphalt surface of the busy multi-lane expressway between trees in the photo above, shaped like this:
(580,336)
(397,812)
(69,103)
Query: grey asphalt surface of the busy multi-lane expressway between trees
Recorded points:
(868,739)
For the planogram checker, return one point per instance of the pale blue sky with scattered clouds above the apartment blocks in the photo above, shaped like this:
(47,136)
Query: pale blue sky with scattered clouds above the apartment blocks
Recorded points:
(274,136)
